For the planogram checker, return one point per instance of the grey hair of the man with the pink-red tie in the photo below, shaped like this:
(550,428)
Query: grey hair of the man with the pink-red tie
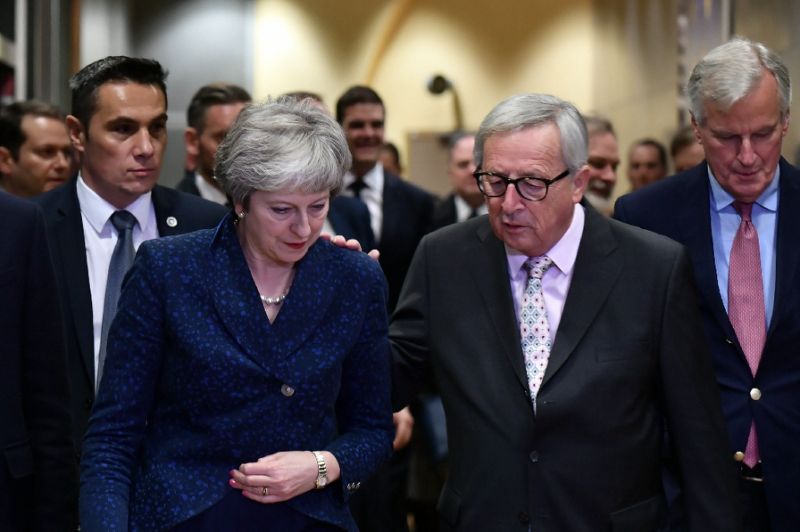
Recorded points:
(731,71)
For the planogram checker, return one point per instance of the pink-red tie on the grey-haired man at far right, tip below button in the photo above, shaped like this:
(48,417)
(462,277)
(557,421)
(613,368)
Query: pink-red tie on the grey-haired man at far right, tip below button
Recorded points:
(746,304)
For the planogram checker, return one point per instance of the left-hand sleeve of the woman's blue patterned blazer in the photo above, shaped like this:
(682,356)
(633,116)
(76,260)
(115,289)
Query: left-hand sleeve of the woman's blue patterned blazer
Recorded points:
(125,397)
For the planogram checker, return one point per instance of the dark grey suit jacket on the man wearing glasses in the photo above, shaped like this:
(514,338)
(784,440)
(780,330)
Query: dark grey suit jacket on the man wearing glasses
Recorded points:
(628,354)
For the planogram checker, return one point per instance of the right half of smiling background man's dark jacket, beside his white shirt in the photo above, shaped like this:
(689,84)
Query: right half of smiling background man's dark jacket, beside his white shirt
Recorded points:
(407,213)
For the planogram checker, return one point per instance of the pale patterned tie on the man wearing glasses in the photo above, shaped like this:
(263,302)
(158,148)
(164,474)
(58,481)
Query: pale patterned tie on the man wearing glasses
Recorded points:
(534,328)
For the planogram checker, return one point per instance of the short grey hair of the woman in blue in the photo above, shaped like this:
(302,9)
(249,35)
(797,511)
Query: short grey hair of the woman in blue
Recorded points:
(282,145)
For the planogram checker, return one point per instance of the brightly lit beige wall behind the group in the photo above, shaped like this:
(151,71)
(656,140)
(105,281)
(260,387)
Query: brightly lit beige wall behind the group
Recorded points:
(614,57)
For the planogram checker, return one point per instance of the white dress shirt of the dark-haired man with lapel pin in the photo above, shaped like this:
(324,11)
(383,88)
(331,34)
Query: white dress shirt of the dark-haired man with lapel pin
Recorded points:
(100,238)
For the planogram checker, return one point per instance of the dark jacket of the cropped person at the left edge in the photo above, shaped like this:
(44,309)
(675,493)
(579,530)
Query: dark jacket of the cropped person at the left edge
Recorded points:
(38,478)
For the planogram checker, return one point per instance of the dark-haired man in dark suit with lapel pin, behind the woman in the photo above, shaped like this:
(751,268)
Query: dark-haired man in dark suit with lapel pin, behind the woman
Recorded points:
(118,124)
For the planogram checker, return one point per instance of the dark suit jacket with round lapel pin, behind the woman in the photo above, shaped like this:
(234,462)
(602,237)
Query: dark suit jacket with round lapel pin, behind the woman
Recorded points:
(176,213)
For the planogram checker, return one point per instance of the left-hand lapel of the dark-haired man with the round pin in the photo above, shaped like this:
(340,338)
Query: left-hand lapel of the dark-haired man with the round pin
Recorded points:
(72,250)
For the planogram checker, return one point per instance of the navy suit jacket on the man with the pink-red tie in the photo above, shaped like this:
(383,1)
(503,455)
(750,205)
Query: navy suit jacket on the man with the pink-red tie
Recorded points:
(678,207)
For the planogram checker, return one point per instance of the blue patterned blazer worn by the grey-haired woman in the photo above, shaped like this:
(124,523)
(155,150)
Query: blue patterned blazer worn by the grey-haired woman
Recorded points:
(197,381)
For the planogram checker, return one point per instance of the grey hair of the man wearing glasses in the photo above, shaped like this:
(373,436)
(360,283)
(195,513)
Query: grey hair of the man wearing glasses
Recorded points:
(525,111)
